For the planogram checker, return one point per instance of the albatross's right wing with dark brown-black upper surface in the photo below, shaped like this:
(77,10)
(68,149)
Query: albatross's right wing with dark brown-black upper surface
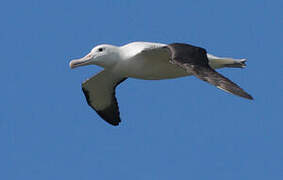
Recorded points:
(194,60)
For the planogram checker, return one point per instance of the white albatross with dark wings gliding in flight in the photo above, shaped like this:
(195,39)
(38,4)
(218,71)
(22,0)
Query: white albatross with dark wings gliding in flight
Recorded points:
(149,61)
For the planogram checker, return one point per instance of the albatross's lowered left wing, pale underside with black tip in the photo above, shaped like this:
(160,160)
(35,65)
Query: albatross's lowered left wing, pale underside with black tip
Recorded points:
(99,91)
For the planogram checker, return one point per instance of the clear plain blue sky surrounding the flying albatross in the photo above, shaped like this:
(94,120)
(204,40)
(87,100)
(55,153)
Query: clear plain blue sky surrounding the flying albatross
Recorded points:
(47,130)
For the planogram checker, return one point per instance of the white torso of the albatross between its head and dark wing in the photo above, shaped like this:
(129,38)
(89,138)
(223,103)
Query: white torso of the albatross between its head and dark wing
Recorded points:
(149,63)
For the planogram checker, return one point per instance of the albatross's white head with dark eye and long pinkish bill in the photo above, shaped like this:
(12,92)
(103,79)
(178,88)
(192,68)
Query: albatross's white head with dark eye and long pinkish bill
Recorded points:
(102,55)
